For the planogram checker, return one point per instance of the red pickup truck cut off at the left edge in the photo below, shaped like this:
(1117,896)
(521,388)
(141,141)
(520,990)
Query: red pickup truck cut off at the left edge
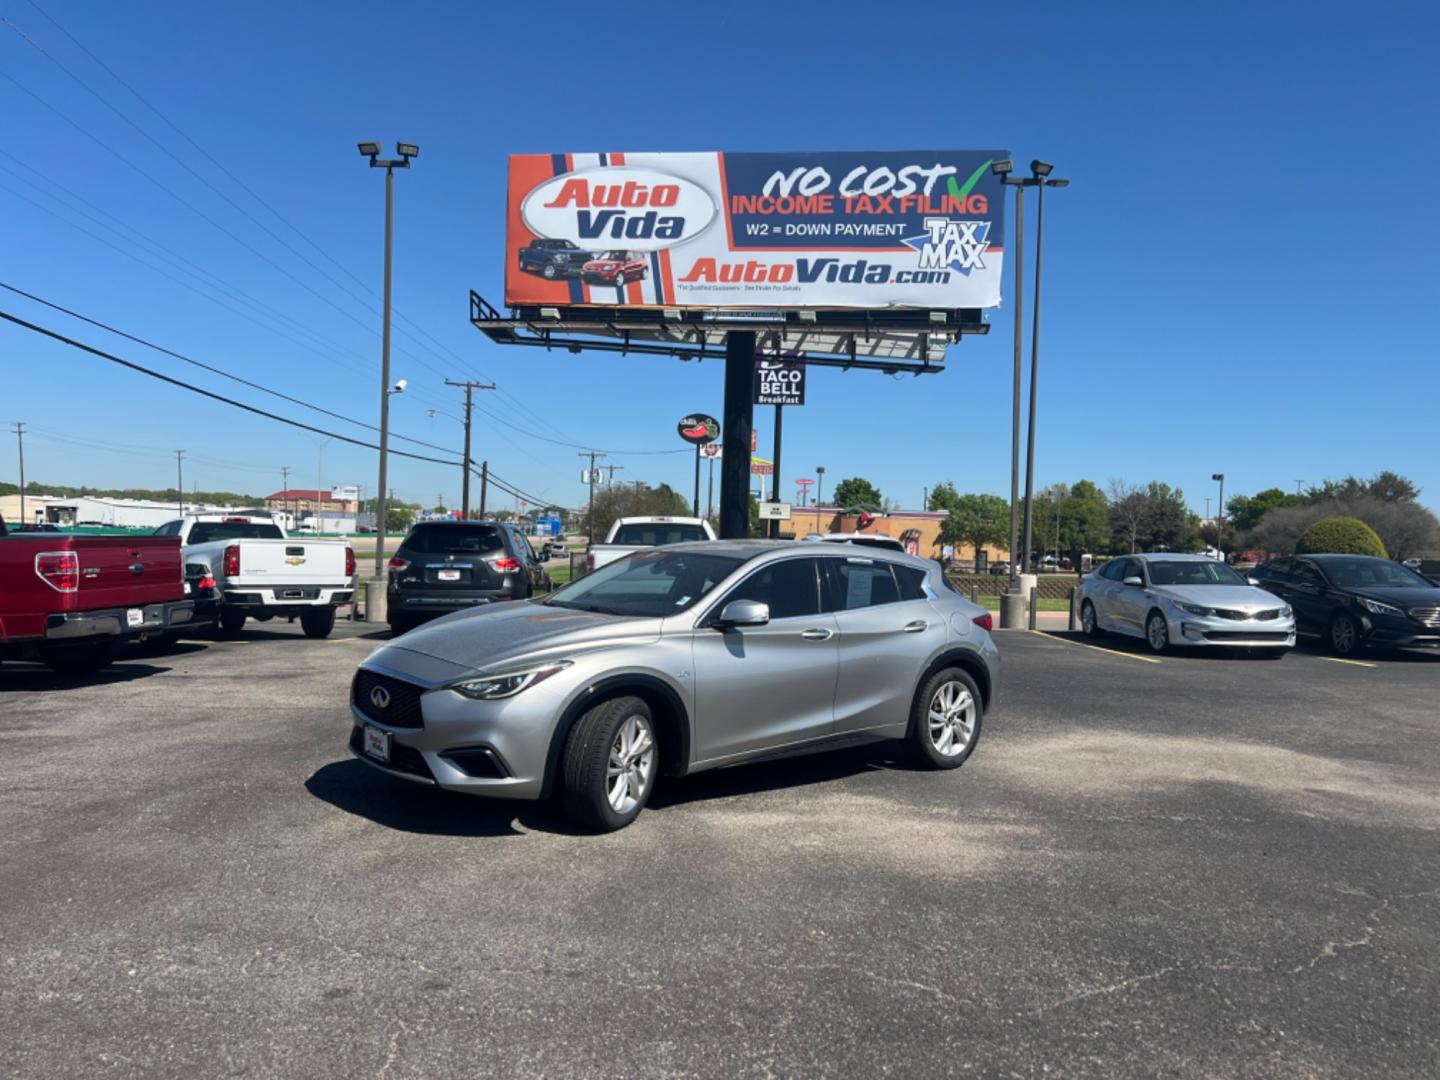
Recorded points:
(67,600)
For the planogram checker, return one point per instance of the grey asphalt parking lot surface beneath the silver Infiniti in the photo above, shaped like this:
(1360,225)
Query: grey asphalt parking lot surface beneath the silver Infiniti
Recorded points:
(1196,868)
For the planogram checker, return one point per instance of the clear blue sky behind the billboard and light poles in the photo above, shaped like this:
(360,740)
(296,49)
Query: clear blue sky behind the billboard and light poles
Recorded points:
(1241,279)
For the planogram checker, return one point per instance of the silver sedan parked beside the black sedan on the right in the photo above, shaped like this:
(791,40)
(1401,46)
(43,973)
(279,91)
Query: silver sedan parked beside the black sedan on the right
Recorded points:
(1183,600)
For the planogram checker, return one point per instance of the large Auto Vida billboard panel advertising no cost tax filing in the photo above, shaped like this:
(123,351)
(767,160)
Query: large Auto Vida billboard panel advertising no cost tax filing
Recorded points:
(847,230)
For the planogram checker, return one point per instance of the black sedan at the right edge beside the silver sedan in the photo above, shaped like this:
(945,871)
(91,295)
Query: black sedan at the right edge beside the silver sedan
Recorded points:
(1356,601)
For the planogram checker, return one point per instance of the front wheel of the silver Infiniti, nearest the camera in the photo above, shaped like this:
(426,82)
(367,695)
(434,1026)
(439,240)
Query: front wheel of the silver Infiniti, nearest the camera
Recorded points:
(610,765)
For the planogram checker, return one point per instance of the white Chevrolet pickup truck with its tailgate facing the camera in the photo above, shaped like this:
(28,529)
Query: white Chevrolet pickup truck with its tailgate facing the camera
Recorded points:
(260,572)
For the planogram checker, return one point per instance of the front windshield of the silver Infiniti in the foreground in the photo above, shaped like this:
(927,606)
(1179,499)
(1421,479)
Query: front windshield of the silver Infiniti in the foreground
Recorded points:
(647,584)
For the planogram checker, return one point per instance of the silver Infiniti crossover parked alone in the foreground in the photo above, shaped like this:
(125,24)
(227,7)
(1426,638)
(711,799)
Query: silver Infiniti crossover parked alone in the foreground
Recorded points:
(679,660)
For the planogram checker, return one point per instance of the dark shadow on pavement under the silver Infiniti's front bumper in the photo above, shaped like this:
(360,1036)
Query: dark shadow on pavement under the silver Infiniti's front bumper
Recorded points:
(359,790)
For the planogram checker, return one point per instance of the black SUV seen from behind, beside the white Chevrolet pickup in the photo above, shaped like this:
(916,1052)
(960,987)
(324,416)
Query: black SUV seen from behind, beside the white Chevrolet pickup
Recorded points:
(446,567)
